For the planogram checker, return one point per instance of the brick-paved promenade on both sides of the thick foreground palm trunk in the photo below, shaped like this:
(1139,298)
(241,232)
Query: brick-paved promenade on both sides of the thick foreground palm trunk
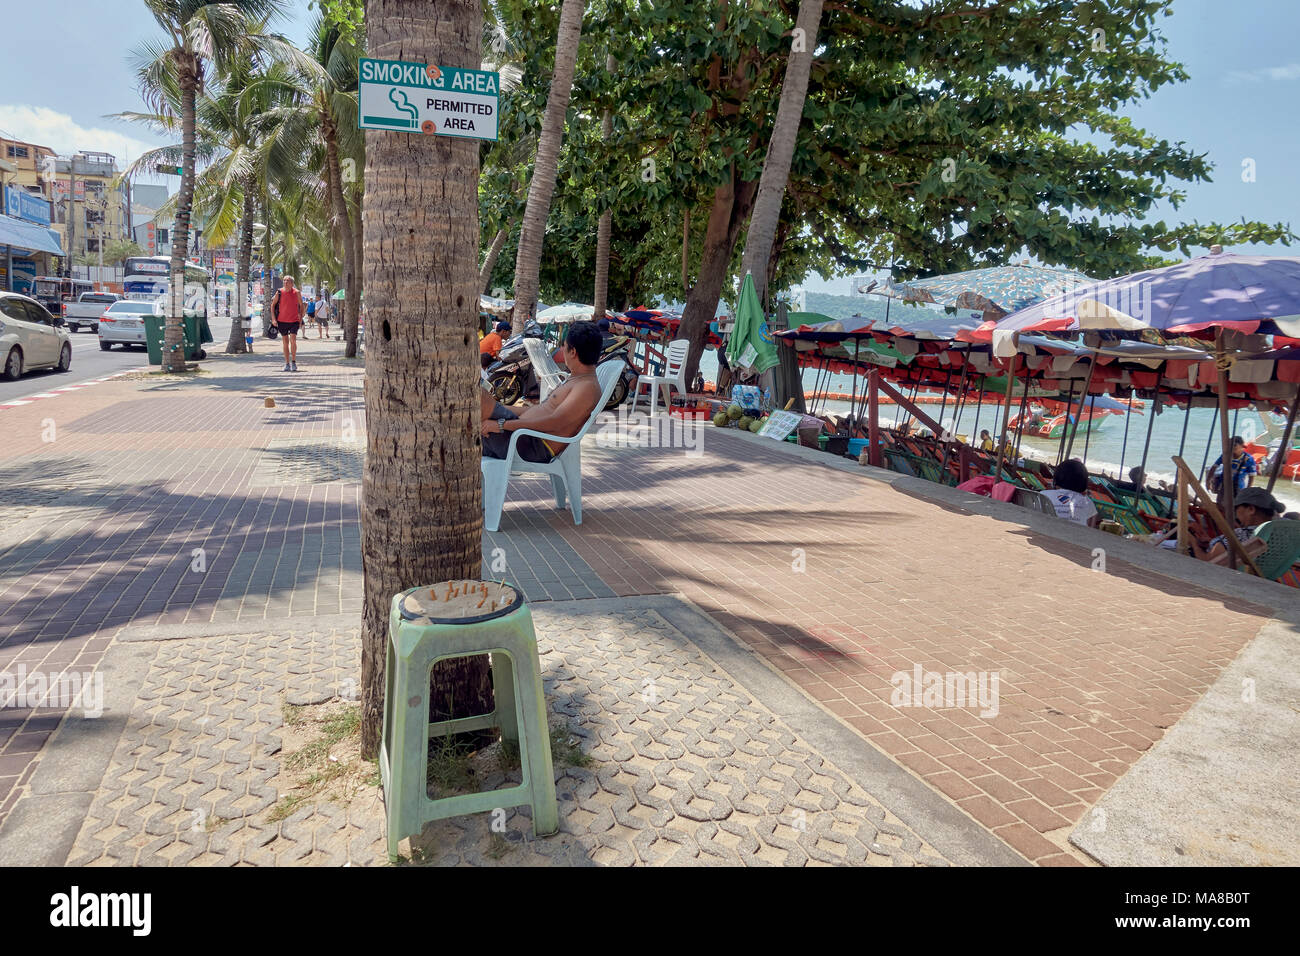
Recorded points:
(838,582)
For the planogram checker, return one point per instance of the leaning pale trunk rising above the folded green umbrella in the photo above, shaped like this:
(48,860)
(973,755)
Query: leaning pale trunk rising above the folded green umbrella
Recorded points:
(781,150)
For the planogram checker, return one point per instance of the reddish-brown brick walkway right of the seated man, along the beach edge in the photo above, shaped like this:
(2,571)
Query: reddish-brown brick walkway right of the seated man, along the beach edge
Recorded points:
(1093,667)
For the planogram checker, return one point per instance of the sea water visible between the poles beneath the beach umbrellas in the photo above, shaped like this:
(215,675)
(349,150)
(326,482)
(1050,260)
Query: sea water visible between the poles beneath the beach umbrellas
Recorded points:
(1103,451)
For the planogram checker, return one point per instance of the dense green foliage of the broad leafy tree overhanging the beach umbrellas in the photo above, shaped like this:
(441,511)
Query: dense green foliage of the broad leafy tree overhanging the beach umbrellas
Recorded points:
(939,136)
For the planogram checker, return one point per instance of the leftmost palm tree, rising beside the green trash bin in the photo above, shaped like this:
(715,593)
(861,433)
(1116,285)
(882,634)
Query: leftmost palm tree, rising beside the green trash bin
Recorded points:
(174,72)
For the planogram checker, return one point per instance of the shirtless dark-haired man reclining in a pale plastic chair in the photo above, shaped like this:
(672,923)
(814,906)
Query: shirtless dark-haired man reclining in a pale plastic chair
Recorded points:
(564,413)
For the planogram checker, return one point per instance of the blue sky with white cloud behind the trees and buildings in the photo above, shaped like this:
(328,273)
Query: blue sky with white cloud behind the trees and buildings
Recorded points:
(1241,102)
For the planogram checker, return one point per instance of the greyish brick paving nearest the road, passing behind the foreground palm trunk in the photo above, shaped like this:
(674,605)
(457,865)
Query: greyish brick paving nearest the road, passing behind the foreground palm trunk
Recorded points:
(101,529)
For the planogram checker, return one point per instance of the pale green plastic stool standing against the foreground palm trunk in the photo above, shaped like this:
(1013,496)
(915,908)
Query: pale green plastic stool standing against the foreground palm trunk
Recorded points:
(448,621)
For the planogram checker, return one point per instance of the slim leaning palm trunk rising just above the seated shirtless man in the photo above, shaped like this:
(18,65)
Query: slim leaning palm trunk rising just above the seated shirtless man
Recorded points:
(528,261)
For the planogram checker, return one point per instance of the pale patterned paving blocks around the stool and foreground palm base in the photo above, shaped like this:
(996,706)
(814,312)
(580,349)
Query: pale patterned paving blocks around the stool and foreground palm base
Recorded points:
(687,767)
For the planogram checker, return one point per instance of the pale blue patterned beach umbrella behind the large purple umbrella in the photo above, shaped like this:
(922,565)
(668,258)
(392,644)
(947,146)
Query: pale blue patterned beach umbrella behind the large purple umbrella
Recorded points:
(1000,289)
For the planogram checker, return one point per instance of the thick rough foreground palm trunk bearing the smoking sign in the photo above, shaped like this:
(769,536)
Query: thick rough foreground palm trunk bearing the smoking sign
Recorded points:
(422,513)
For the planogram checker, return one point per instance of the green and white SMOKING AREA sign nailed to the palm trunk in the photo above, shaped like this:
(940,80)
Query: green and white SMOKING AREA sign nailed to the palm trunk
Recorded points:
(436,101)
